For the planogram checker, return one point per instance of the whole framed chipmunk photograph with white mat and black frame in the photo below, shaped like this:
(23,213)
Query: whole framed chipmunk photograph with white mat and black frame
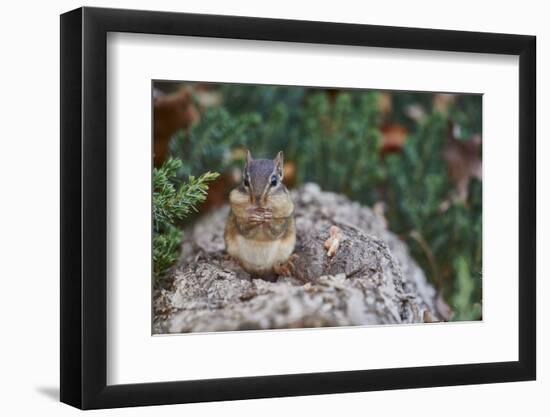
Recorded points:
(258,208)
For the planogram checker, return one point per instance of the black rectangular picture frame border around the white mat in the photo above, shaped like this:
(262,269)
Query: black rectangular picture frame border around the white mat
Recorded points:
(84,207)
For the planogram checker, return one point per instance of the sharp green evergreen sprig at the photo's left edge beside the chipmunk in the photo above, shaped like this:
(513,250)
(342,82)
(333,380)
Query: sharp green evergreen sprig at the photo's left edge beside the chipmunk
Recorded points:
(172,201)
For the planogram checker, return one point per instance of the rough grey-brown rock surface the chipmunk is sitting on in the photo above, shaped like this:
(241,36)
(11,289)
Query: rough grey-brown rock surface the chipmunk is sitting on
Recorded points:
(370,280)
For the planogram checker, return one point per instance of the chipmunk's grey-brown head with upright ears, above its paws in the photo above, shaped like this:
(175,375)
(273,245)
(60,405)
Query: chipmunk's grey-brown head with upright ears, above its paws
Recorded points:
(263,178)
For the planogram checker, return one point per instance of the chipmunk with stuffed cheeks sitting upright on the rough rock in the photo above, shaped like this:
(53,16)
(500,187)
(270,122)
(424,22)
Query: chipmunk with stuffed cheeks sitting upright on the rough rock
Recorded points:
(260,232)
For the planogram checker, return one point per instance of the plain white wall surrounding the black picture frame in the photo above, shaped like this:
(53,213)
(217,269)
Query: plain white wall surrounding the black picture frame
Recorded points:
(29,266)
